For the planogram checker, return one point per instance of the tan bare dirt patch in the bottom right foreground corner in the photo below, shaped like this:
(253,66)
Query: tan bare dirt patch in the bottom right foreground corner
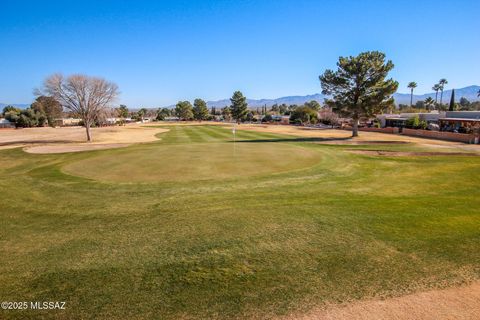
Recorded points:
(454,303)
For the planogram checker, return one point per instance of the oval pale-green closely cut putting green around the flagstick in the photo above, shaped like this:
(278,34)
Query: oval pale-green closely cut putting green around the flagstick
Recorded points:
(194,162)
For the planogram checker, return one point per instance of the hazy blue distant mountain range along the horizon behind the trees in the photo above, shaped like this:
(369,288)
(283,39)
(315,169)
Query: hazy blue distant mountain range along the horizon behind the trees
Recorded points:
(470,92)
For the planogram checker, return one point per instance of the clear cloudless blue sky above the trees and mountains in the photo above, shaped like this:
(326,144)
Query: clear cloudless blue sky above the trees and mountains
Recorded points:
(159,52)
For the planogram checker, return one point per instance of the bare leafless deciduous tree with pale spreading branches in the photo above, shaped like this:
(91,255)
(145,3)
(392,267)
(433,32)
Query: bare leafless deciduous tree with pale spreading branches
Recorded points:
(85,96)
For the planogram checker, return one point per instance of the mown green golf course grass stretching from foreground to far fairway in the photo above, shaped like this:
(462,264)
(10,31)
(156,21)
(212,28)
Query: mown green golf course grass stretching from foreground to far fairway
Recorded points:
(254,245)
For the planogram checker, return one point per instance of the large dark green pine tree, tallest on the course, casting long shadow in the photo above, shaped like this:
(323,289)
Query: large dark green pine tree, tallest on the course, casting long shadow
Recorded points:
(359,87)
